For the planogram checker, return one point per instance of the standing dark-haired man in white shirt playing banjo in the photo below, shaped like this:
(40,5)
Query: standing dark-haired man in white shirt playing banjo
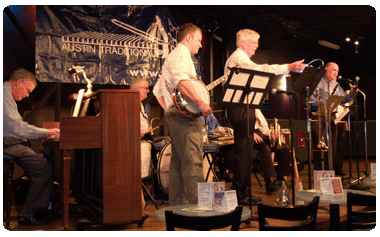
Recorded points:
(186,134)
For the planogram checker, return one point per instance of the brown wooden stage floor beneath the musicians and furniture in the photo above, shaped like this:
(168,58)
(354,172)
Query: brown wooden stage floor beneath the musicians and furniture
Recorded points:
(152,224)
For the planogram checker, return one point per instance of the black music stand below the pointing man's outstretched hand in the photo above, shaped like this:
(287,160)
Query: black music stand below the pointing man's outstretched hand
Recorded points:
(306,82)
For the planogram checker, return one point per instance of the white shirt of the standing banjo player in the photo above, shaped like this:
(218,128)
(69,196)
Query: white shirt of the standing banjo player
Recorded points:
(177,67)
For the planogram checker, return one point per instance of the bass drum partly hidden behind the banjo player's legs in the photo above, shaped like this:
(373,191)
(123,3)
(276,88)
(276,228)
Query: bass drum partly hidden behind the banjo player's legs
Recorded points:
(164,164)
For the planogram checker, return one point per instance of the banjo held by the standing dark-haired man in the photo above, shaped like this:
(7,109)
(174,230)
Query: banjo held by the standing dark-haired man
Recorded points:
(186,107)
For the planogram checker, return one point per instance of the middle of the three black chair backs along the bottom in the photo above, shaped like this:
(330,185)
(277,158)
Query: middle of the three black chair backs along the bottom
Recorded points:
(297,213)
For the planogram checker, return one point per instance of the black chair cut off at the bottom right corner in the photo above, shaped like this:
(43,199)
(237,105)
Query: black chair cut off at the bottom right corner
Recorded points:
(363,219)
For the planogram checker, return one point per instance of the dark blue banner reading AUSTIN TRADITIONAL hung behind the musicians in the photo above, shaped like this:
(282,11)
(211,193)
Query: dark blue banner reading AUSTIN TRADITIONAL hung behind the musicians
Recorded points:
(113,43)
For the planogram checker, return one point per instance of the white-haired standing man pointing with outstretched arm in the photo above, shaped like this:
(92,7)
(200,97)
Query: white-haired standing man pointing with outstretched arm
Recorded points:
(247,41)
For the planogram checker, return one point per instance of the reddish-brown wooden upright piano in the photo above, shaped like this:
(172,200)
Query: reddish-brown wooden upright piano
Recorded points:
(116,130)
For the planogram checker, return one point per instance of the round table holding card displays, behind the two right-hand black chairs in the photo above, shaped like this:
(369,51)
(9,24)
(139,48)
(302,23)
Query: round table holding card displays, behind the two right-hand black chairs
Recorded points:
(333,200)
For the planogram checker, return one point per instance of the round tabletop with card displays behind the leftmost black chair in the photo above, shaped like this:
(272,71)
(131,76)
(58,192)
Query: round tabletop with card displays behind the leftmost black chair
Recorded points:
(192,210)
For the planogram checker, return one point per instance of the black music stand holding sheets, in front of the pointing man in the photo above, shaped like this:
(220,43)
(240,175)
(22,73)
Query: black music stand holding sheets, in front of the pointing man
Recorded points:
(246,88)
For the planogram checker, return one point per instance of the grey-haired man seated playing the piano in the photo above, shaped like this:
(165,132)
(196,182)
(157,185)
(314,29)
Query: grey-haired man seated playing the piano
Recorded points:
(16,133)
